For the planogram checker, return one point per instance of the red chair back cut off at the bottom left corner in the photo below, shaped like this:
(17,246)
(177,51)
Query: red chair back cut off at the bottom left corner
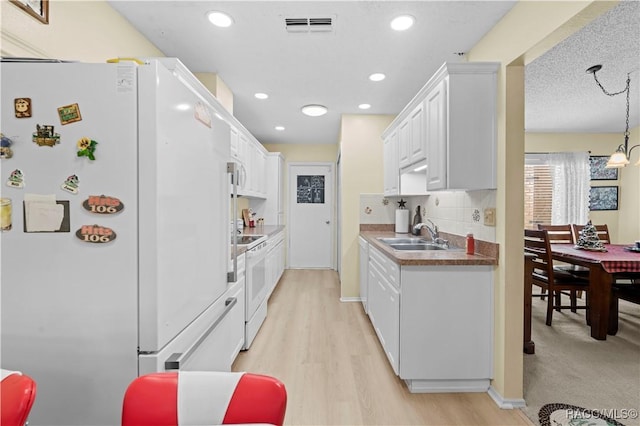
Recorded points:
(17,392)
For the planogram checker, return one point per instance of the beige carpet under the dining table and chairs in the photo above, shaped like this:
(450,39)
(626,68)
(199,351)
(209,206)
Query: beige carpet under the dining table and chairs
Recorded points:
(571,367)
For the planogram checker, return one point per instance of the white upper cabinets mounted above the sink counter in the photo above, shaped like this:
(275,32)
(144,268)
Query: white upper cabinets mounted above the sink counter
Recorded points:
(450,126)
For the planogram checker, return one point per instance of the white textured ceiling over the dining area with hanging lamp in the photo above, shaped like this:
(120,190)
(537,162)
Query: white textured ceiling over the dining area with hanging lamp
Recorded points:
(562,97)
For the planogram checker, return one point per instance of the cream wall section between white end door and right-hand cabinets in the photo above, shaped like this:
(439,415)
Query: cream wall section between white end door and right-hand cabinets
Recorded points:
(362,172)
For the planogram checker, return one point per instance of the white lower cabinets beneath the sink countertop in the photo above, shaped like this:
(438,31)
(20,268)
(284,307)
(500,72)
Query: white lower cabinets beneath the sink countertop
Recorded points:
(435,323)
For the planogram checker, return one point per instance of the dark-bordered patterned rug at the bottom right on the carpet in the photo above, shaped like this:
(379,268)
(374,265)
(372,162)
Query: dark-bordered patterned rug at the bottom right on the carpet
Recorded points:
(571,415)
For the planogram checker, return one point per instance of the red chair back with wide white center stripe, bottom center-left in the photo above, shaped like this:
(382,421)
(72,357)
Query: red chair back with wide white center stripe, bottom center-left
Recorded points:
(190,398)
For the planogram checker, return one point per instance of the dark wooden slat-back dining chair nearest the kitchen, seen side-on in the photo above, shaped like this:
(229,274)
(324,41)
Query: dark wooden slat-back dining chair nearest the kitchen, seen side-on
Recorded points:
(553,281)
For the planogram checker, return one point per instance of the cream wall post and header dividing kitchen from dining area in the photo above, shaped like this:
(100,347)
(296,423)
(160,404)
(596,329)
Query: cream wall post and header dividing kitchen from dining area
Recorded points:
(525,32)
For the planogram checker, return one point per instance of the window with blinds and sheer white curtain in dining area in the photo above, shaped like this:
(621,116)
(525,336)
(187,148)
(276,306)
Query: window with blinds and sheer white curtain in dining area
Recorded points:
(556,188)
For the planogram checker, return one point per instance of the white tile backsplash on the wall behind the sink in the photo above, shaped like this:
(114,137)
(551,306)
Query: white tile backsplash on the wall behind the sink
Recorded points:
(455,212)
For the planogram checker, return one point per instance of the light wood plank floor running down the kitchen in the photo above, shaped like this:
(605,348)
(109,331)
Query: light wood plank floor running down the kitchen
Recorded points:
(328,356)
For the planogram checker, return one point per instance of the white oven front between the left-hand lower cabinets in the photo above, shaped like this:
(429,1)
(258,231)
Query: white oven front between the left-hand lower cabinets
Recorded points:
(256,289)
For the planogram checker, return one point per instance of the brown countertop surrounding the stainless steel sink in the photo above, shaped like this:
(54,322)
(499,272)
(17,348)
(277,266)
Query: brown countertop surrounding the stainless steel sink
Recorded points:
(426,257)
